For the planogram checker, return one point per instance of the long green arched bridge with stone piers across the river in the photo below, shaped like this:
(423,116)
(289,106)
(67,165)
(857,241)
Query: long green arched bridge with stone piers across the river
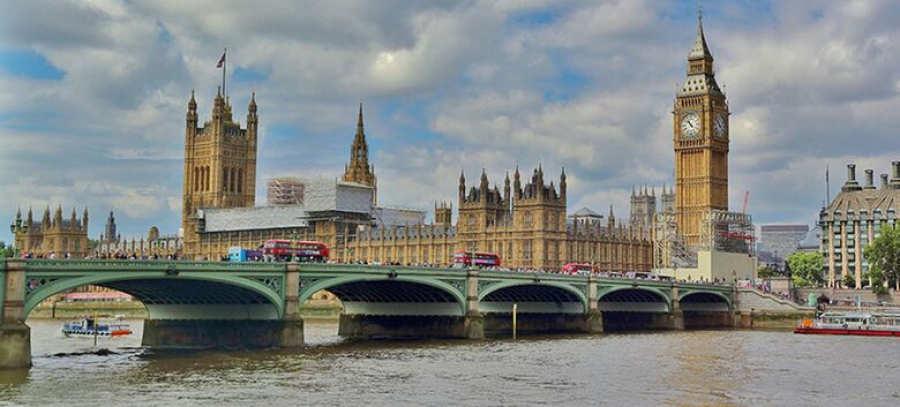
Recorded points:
(211,304)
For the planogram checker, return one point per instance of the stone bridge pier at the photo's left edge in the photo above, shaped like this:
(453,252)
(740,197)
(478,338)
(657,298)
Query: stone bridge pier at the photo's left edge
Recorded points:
(15,336)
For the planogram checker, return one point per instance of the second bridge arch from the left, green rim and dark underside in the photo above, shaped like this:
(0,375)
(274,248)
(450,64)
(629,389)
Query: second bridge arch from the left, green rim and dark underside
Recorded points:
(398,295)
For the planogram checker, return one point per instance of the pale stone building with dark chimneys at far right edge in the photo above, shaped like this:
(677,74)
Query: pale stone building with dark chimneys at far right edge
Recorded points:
(854,219)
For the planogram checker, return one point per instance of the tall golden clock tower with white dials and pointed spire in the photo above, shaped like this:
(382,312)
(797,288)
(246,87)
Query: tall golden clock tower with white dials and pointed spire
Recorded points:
(701,143)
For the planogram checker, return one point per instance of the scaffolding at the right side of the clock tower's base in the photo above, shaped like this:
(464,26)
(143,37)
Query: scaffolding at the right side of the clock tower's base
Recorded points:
(730,232)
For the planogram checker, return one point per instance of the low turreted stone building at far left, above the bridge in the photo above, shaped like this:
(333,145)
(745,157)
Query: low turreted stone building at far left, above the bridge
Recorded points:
(52,236)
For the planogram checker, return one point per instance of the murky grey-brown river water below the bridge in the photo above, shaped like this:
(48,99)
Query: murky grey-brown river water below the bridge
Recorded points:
(692,368)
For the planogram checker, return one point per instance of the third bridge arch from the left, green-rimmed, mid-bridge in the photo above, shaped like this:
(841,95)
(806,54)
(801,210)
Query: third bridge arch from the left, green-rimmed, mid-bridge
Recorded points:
(531,297)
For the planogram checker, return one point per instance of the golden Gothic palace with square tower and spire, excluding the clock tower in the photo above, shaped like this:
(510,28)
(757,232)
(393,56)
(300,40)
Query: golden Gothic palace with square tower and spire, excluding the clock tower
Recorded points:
(526,224)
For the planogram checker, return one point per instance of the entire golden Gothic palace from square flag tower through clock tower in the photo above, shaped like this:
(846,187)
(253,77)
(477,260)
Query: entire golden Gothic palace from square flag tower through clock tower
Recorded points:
(526,221)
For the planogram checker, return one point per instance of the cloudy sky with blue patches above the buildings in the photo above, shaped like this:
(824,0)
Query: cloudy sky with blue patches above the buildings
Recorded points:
(93,96)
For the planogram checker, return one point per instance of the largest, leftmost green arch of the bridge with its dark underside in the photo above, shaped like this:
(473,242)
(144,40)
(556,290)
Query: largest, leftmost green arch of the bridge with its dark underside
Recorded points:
(187,296)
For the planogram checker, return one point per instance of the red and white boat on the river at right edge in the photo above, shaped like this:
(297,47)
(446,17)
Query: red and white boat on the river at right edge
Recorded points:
(866,324)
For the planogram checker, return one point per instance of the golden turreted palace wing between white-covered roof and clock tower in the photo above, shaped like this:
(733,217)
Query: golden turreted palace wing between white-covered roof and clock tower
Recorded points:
(526,226)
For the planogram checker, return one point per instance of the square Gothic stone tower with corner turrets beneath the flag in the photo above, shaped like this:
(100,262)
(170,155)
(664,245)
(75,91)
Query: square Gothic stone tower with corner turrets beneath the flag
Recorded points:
(219,162)
